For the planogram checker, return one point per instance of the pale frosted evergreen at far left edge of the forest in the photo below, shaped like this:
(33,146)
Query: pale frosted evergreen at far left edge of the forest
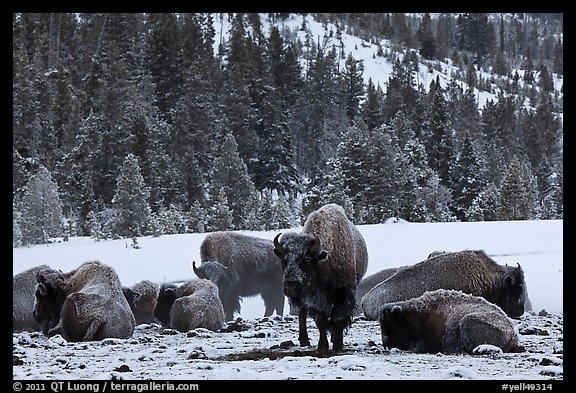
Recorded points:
(41,209)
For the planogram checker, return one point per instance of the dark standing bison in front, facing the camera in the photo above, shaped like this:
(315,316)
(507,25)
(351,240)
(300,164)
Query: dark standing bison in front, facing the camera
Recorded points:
(322,267)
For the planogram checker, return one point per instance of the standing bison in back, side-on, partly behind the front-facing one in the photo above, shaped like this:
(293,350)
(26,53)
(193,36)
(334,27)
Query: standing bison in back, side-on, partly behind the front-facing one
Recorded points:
(240,266)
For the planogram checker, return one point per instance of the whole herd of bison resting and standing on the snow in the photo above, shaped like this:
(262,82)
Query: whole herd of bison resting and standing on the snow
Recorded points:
(452,302)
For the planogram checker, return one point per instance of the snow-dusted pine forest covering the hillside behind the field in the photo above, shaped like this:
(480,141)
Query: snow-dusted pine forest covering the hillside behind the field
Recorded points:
(137,124)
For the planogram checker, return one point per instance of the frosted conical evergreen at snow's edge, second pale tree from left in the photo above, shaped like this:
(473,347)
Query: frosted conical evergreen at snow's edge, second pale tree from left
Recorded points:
(130,203)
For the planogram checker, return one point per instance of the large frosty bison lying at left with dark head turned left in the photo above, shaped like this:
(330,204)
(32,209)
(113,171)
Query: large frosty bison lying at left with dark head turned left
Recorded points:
(86,304)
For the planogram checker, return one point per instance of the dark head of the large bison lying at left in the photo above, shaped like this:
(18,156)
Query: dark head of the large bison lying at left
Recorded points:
(49,299)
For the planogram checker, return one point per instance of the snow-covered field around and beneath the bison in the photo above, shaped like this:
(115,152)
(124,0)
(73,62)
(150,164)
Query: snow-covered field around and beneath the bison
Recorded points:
(259,348)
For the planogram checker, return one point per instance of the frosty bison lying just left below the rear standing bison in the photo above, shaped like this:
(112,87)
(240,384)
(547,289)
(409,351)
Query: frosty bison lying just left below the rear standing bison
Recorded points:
(202,308)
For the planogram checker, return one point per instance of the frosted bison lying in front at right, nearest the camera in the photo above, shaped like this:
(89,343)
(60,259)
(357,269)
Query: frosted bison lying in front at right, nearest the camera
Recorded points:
(446,321)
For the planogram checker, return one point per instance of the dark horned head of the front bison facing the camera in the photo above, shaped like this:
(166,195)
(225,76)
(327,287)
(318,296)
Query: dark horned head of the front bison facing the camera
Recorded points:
(299,254)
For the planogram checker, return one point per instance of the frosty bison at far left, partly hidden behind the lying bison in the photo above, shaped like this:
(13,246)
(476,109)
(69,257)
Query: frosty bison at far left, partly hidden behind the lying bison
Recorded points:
(23,295)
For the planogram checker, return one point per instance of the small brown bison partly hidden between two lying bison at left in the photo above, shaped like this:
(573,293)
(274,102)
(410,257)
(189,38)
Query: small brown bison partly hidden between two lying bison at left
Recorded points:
(142,298)
